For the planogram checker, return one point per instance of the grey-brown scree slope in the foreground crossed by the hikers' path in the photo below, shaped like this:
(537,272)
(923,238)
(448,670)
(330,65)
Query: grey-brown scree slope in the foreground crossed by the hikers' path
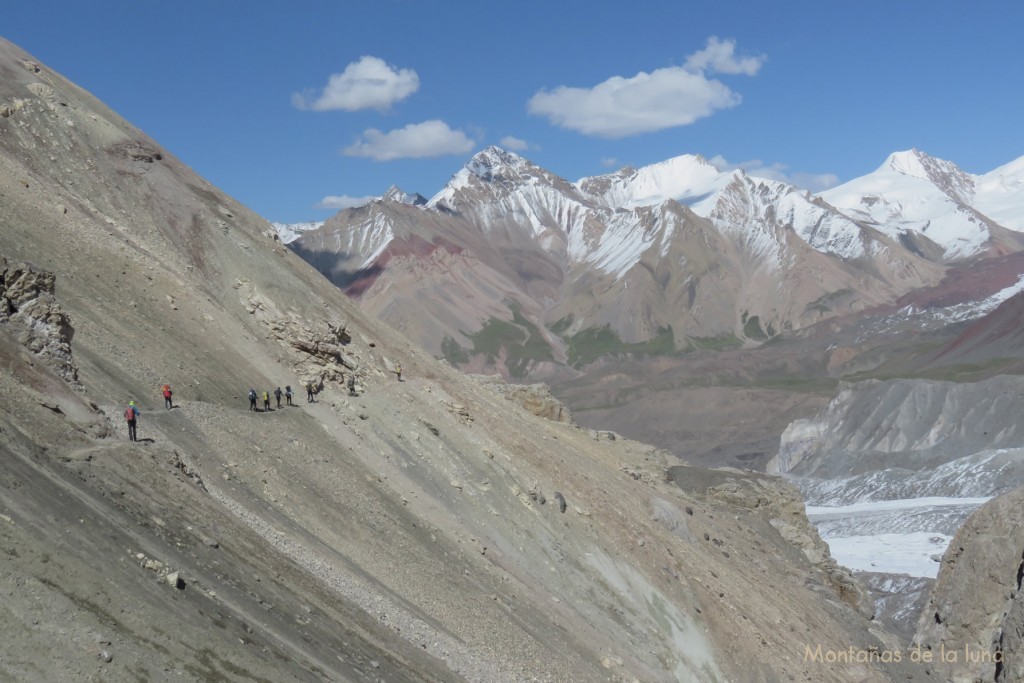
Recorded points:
(423,530)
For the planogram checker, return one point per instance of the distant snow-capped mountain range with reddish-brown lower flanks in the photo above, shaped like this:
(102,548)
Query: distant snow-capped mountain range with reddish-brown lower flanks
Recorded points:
(514,270)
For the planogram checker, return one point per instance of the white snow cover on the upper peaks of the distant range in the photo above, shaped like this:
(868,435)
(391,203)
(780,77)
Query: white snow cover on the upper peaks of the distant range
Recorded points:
(910,193)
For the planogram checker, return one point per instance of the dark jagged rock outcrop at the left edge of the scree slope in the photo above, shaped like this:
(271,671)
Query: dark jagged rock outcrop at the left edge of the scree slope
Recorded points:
(29,311)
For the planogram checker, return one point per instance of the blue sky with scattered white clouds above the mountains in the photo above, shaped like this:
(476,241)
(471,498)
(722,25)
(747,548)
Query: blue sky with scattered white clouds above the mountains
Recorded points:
(300,108)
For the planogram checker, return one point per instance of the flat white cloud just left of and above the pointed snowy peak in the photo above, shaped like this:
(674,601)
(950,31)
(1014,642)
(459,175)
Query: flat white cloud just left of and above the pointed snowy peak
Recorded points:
(431,139)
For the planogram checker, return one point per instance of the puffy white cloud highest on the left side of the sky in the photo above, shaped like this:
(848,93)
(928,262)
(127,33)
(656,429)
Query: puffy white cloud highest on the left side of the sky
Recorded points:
(367,84)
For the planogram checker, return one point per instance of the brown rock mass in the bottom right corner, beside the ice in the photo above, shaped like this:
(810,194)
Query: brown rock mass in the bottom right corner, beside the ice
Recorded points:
(974,622)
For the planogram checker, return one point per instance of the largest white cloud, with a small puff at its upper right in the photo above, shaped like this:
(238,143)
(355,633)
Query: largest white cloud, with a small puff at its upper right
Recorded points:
(647,103)
